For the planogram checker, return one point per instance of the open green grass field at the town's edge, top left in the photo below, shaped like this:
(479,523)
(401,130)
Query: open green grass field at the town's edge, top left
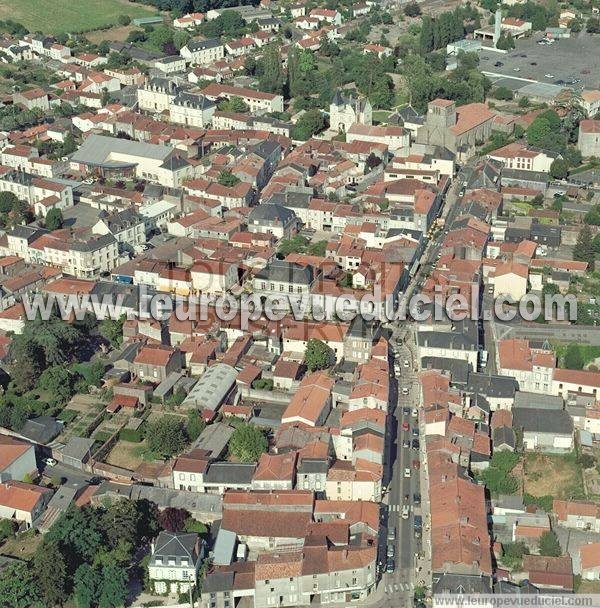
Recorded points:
(64,16)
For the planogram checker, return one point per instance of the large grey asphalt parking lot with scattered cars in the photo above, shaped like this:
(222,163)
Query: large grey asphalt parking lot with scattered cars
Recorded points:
(568,59)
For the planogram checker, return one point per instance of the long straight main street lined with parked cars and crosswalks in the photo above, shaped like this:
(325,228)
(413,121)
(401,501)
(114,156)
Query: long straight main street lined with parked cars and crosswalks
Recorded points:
(405,550)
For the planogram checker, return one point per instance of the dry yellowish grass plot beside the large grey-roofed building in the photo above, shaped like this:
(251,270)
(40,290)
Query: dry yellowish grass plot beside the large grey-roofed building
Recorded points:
(553,475)
